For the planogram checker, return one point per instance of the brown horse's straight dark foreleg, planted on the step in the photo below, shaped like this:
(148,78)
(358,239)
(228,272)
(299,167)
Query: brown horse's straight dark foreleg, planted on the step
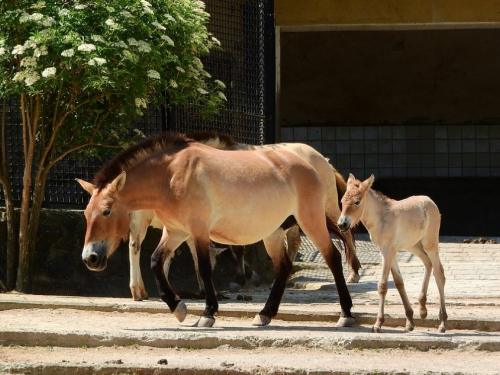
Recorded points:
(202,246)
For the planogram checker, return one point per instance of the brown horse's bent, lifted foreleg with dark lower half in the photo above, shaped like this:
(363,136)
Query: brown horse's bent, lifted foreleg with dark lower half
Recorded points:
(168,244)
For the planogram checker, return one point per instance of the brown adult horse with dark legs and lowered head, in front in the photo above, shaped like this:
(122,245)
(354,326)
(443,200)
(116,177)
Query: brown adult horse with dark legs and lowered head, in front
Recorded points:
(200,192)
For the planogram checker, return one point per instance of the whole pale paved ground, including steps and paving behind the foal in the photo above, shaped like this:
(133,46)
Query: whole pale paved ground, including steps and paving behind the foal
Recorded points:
(56,334)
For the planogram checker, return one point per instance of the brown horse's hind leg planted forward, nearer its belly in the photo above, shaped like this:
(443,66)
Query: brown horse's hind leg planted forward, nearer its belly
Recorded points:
(275,247)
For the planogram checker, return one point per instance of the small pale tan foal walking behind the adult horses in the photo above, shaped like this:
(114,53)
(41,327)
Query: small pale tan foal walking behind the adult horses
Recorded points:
(411,224)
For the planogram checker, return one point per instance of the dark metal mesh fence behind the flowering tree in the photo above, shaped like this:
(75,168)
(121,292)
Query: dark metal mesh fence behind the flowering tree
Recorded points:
(245,63)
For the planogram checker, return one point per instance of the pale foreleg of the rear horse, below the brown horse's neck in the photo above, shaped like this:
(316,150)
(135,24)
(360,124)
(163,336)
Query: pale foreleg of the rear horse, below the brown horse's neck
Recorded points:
(138,228)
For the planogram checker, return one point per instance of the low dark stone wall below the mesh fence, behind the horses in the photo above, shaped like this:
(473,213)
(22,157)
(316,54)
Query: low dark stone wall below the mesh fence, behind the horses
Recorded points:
(59,269)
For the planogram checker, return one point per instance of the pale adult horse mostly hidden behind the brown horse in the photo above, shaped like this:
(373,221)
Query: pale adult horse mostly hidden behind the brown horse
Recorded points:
(333,181)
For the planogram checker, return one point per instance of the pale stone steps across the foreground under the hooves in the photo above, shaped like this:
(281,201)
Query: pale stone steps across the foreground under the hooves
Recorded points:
(68,335)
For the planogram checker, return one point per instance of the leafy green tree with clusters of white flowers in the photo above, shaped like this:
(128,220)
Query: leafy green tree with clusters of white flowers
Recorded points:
(83,70)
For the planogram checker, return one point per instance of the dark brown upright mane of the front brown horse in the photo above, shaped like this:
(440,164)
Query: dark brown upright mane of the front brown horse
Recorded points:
(137,153)
